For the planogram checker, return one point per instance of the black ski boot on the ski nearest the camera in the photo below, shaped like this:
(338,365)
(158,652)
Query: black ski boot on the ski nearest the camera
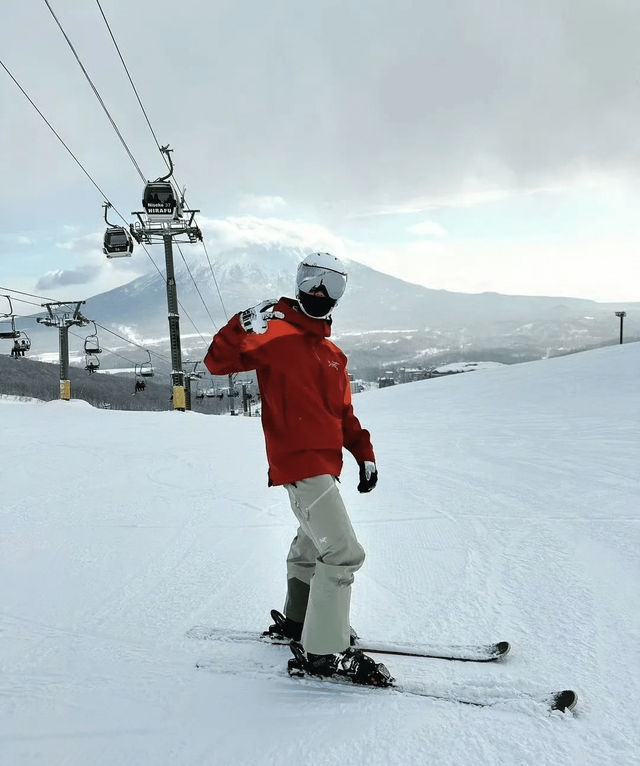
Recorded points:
(351,664)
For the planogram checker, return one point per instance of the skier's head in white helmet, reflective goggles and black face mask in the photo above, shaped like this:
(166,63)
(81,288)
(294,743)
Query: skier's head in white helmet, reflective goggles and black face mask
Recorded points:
(320,273)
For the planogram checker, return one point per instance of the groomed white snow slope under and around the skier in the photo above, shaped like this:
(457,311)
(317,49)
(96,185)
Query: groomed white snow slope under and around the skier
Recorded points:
(508,508)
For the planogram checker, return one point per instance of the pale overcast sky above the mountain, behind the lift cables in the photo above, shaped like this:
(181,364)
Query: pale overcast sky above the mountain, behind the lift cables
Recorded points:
(464,145)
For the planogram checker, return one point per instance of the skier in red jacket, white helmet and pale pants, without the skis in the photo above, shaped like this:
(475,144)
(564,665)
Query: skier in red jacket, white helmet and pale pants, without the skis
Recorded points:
(307,418)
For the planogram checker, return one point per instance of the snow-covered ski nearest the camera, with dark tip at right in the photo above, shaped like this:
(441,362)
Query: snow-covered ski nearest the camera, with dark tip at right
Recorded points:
(562,701)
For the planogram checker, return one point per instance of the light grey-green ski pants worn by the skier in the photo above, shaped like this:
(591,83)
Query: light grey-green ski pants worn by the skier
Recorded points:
(322,559)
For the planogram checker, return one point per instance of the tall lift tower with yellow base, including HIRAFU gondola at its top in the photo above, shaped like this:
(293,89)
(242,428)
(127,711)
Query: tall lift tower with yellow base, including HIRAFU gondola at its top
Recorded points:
(163,220)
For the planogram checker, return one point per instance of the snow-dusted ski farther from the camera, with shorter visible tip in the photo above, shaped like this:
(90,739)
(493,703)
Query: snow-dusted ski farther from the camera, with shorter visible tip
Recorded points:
(460,652)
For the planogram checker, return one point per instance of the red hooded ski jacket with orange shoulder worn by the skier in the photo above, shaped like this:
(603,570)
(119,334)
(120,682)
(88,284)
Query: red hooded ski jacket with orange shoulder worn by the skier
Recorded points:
(307,416)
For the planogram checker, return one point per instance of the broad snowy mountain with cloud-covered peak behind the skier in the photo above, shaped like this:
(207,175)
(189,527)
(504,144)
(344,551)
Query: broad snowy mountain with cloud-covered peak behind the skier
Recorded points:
(381,322)
